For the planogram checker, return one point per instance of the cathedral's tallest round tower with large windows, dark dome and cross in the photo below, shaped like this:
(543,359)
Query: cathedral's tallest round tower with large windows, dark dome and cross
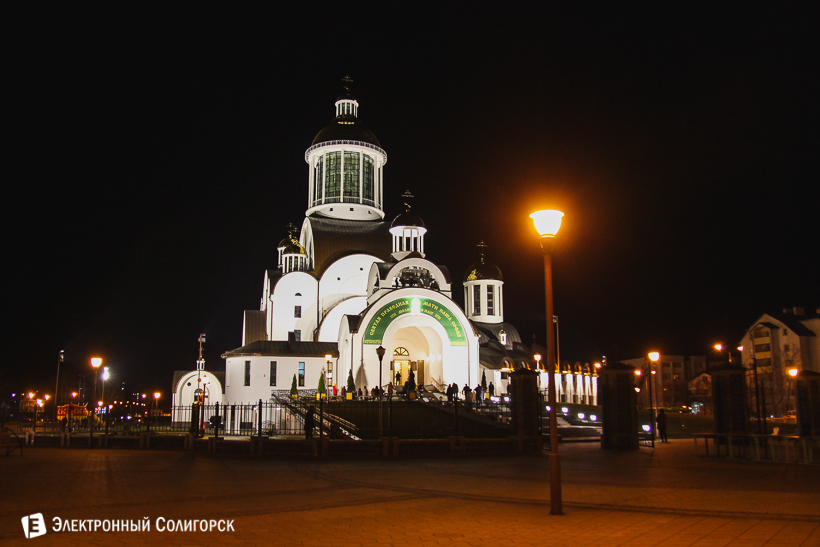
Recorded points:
(346,166)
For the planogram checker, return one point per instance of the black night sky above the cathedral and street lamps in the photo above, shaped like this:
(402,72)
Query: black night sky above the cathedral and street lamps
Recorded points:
(155,158)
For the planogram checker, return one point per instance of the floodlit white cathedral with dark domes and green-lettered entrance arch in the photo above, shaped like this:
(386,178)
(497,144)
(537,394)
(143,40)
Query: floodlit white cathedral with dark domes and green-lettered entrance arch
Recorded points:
(350,281)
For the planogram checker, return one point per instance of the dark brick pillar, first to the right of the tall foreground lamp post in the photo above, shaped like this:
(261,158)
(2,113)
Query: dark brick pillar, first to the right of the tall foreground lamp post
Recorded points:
(619,402)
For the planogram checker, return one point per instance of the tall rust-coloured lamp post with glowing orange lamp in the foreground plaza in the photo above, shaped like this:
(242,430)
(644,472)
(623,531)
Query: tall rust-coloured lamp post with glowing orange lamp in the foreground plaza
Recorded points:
(547,223)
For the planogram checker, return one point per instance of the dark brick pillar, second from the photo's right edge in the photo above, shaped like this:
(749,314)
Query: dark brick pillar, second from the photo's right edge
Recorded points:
(729,399)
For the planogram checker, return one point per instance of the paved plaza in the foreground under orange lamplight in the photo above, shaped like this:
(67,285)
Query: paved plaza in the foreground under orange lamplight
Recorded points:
(666,496)
